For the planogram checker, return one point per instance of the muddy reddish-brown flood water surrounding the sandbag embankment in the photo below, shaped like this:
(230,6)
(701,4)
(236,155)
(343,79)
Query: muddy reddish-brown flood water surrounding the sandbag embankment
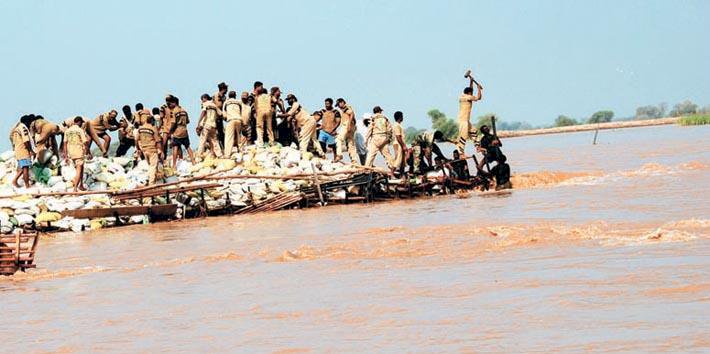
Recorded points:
(601,248)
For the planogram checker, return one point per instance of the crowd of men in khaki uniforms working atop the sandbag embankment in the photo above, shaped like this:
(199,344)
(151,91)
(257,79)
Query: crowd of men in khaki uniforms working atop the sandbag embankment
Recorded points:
(228,122)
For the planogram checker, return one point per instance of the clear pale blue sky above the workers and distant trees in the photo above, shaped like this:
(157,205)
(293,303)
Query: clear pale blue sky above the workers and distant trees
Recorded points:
(535,59)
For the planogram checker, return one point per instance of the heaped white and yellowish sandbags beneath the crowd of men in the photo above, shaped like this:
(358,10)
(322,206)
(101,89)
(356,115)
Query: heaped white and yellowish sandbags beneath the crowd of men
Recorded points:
(18,208)
